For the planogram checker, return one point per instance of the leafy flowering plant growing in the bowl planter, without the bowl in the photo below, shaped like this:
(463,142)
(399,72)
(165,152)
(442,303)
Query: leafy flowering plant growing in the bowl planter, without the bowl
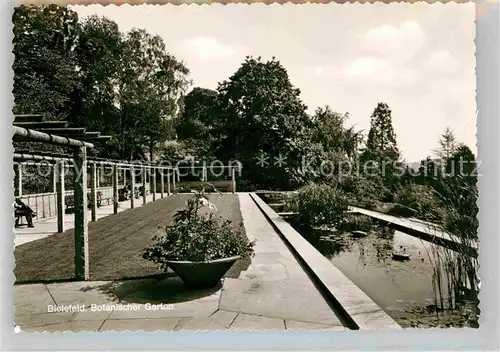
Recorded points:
(198,238)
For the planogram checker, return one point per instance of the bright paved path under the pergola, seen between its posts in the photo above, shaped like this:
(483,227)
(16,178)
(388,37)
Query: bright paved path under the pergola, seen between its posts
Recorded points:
(46,227)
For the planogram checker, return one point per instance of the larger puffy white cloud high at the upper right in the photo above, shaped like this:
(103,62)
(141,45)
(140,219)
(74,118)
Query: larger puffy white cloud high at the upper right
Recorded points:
(400,42)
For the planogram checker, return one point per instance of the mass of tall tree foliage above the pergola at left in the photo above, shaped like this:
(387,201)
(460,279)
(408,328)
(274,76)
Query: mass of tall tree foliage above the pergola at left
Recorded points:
(94,76)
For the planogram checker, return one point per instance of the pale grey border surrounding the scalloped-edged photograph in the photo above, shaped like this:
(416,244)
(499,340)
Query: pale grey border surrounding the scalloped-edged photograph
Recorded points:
(484,338)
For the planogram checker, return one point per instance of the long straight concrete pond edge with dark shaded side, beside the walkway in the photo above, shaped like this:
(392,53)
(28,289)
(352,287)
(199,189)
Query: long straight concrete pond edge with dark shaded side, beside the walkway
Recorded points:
(357,309)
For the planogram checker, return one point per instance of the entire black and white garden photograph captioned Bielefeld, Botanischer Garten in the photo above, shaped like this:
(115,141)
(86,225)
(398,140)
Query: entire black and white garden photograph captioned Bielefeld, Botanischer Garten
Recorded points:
(245,167)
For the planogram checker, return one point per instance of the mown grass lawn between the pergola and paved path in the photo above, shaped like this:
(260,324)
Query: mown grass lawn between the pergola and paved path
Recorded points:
(115,243)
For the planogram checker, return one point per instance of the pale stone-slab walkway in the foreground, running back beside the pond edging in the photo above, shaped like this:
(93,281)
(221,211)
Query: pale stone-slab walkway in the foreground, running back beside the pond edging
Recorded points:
(273,293)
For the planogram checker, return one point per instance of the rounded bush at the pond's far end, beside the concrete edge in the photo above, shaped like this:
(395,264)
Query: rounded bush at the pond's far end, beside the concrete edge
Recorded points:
(319,204)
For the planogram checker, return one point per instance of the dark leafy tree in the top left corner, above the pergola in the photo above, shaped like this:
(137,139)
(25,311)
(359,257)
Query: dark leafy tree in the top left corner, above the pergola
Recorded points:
(44,67)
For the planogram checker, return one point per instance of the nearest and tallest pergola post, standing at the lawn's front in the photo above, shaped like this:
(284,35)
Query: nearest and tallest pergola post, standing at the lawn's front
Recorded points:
(81,215)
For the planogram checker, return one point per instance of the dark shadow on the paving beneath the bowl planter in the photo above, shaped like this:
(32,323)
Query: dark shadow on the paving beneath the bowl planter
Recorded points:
(152,290)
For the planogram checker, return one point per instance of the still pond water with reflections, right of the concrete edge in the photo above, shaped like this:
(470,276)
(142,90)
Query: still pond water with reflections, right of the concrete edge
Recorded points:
(404,289)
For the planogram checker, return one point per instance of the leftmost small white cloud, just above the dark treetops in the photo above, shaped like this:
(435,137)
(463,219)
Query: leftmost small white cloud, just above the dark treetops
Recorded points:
(210,48)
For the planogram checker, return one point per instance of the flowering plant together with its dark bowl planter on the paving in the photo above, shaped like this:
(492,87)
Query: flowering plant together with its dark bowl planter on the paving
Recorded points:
(199,248)
